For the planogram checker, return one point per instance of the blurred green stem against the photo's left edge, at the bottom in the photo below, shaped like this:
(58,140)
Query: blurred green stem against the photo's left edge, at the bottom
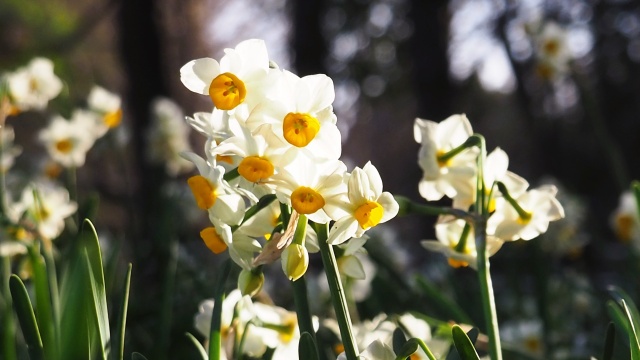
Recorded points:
(7,320)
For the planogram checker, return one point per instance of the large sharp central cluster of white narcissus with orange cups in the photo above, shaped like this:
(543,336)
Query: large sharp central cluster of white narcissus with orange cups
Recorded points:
(273,134)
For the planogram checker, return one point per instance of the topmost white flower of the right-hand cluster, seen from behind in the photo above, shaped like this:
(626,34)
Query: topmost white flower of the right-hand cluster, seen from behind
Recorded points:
(455,176)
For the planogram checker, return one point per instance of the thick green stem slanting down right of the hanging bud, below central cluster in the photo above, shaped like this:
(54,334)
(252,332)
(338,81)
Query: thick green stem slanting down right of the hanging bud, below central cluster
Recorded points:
(337,292)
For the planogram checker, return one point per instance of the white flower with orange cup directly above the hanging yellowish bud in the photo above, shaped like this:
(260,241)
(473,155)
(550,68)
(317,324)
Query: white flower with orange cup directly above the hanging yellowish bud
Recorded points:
(311,188)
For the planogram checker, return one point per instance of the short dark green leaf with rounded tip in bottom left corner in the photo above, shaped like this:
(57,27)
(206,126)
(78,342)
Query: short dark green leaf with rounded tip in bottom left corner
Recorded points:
(24,310)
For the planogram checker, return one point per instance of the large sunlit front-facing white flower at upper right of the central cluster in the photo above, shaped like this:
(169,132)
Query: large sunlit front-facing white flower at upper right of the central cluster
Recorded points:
(301,114)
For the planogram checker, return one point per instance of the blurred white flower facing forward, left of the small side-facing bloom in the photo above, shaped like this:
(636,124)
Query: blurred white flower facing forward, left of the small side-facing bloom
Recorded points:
(69,141)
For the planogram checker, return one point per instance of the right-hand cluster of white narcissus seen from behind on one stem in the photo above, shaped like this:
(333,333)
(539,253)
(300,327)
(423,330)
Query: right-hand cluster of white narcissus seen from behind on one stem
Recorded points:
(449,157)
